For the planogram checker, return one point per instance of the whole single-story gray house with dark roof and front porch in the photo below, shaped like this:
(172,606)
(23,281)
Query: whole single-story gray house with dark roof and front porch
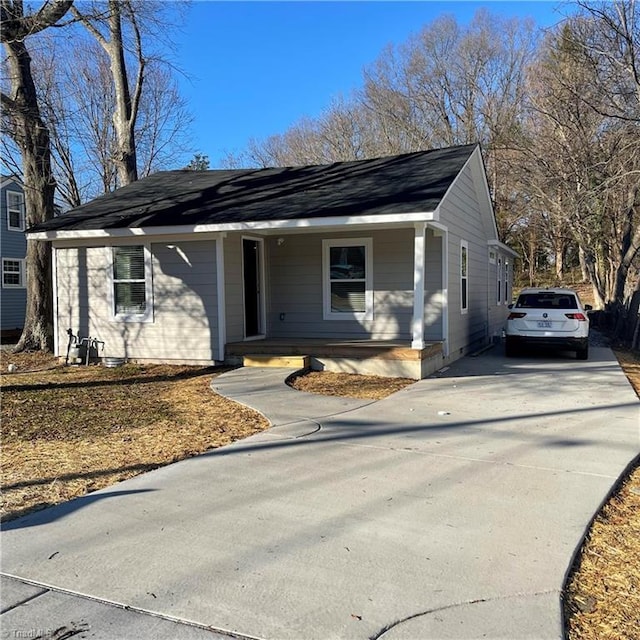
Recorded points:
(391,265)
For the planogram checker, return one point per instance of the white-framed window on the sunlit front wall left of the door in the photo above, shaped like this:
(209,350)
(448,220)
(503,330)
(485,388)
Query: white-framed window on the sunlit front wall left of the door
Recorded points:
(131,284)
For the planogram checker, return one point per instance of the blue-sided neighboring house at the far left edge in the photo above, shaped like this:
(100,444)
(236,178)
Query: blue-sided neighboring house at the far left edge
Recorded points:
(13,250)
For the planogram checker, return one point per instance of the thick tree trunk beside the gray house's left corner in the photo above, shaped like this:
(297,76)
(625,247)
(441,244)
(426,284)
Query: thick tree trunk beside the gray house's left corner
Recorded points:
(39,184)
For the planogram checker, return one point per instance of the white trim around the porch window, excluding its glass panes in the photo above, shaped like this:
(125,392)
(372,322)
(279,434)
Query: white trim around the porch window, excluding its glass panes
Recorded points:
(327,245)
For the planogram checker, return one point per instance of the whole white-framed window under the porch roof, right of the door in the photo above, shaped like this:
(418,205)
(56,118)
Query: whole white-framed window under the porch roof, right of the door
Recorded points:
(347,266)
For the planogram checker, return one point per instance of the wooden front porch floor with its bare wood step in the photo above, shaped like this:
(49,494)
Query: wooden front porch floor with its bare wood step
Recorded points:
(331,348)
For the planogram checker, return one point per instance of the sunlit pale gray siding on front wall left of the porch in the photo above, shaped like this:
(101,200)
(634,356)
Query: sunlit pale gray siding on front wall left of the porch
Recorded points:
(184,325)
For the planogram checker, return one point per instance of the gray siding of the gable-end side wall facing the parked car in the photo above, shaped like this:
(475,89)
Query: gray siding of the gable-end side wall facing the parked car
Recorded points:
(461,213)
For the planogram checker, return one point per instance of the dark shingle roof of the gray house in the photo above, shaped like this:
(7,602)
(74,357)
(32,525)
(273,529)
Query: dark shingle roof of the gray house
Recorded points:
(406,183)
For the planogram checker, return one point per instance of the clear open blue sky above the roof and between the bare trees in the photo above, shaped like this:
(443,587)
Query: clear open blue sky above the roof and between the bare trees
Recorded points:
(255,68)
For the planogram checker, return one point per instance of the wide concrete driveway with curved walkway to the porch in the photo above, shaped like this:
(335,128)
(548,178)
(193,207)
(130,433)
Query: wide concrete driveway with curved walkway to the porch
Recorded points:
(450,510)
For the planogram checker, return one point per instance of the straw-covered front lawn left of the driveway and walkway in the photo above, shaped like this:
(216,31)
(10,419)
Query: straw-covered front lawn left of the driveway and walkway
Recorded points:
(67,431)
